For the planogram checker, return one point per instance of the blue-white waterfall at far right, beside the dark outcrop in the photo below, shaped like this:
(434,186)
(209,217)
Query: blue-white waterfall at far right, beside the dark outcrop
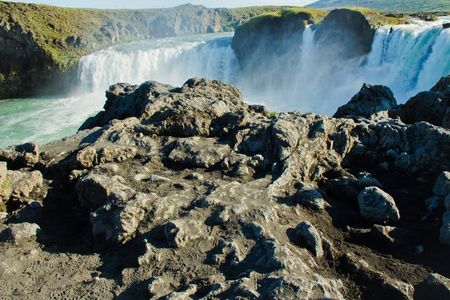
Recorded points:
(409,58)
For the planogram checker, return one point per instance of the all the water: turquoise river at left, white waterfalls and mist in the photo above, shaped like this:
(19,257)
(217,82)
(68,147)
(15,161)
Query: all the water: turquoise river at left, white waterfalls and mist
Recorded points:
(407,58)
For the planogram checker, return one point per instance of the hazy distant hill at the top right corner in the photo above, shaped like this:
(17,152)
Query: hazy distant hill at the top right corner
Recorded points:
(387,5)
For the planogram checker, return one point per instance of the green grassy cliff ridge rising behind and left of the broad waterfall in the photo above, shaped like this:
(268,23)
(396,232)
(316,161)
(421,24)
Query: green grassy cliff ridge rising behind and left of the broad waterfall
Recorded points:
(40,44)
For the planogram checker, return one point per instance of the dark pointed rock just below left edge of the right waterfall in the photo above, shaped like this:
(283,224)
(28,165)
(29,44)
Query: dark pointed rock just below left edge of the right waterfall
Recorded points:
(370,102)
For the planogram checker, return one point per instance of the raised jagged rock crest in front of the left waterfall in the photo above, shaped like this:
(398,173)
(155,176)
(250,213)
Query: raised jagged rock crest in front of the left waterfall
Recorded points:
(199,107)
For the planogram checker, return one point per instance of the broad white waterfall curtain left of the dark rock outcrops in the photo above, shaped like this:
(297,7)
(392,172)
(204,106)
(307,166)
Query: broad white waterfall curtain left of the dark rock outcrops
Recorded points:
(169,60)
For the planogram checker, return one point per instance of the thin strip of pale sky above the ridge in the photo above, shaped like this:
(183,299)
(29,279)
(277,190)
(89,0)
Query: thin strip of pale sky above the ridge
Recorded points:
(139,4)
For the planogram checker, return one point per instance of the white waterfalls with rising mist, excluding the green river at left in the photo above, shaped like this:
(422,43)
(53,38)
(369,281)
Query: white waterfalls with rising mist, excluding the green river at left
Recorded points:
(406,58)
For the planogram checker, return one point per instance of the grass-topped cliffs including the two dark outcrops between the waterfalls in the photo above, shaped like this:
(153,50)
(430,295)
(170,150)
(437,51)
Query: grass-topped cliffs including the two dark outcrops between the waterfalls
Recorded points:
(40,45)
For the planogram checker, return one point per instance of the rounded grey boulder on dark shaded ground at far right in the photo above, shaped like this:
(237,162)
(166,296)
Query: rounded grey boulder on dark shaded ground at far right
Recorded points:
(378,206)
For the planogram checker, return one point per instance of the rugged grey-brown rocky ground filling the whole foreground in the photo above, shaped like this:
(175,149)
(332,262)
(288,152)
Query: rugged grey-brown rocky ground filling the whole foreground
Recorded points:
(189,193)
